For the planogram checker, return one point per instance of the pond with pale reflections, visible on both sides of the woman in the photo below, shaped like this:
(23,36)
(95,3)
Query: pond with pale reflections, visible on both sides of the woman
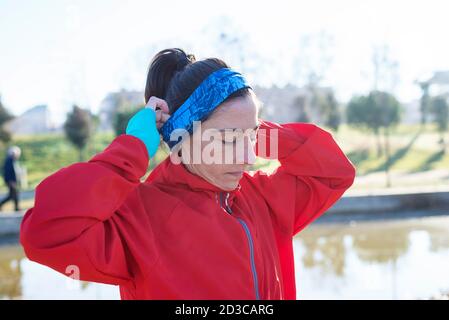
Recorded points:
(390,259)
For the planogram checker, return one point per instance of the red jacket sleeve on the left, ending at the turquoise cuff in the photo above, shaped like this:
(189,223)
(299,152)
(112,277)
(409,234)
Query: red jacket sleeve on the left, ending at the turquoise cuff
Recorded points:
(75,224)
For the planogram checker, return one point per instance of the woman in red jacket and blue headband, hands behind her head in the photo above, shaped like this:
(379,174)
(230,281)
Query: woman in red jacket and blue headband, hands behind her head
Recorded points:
(192,229)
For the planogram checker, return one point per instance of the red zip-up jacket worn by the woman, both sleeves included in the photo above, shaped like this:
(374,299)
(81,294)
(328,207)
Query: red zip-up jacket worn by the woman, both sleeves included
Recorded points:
(176,236)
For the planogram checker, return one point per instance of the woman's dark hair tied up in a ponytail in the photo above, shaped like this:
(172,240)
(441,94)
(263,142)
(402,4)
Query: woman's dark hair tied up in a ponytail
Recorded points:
(173,75)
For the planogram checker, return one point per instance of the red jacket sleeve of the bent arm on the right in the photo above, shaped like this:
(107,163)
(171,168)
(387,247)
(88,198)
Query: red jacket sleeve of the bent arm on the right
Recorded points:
(313,174)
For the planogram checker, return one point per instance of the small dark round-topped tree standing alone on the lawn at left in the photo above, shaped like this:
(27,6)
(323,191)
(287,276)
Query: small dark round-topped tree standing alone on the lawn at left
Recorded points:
(79,128)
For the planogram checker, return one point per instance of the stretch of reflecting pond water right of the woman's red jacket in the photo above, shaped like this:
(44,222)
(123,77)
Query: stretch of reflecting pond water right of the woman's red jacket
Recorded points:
(403,259)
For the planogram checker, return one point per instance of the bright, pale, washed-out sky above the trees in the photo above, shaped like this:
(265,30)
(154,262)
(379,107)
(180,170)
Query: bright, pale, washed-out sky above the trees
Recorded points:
(63,52)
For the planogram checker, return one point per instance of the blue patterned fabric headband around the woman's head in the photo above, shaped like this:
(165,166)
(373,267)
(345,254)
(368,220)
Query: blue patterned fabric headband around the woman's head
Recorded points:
(206,98)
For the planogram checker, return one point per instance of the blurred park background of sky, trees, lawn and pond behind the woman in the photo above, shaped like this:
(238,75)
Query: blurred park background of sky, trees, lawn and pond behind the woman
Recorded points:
(373,73)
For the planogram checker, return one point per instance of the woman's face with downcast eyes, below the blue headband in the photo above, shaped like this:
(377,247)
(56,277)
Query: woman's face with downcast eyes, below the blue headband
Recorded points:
(226,146)
